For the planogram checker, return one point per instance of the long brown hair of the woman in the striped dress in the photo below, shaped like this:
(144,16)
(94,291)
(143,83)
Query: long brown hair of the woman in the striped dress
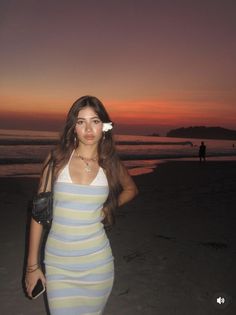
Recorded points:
(108,158)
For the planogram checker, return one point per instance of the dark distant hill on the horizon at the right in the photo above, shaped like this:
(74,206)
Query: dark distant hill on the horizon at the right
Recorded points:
(202,132)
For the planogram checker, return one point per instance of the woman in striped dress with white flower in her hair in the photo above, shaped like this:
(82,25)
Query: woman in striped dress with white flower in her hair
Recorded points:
(89,183)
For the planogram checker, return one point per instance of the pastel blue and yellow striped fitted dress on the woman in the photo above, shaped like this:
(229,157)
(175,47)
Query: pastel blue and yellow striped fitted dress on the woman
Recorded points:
(78,258)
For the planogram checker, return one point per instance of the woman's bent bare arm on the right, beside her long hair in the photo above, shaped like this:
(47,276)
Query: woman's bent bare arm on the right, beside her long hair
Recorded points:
(129,189)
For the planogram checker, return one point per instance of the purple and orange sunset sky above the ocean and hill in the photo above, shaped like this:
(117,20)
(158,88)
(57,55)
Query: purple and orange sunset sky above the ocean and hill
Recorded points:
(155,64)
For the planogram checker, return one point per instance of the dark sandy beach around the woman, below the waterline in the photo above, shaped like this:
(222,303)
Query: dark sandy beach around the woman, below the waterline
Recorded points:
(174,245)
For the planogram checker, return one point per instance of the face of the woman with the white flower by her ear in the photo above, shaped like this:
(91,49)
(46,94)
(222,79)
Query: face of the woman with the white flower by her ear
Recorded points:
(89,126)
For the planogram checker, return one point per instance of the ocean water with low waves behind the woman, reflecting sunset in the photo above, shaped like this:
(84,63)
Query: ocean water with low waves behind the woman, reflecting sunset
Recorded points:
(22,152)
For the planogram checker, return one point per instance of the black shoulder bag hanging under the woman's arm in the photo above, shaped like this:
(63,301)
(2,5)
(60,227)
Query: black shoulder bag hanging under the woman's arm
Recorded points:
(43,202)
